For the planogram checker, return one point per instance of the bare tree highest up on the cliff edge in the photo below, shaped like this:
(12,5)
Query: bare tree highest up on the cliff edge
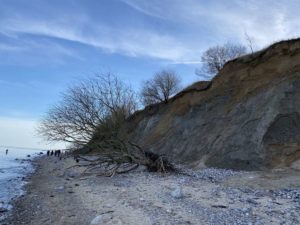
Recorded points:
(214,58)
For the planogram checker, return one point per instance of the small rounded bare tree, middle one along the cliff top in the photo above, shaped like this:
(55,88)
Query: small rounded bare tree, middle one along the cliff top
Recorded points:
(159,89)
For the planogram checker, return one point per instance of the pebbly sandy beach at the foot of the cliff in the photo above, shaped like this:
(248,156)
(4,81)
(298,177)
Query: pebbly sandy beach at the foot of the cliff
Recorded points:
(58,196)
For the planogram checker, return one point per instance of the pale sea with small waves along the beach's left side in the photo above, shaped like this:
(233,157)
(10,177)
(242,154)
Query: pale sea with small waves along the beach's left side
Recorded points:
(15,164)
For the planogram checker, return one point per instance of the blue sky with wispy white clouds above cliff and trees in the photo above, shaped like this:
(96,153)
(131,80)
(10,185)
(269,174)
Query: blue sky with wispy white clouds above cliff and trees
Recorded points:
(48,45)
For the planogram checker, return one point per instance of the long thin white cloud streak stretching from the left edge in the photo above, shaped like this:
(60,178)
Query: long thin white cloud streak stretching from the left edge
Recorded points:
(130,42)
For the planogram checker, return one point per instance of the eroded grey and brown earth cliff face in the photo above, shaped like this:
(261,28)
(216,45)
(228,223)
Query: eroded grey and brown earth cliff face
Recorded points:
(248,117)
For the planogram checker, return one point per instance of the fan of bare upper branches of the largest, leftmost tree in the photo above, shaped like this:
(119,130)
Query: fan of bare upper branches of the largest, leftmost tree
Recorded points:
(86,107)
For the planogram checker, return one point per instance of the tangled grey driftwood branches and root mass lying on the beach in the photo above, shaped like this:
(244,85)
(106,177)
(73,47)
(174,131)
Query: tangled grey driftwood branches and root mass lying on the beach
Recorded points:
(116,156)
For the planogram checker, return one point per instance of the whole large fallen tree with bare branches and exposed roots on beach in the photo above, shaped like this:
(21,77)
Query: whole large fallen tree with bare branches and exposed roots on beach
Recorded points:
(90,116)
